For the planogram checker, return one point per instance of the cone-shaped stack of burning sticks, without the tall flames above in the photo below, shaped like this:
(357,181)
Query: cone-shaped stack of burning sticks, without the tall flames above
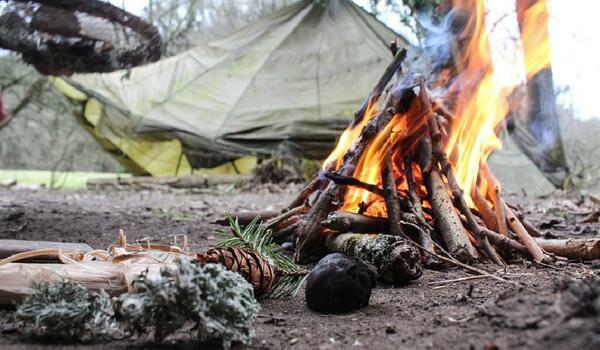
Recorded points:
(416,186)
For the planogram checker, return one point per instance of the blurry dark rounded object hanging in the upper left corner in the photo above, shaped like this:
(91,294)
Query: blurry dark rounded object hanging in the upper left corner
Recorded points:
(62,37)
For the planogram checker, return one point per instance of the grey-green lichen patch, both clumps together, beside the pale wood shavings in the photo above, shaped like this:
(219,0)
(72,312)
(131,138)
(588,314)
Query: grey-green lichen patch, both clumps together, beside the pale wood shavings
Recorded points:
(214,302)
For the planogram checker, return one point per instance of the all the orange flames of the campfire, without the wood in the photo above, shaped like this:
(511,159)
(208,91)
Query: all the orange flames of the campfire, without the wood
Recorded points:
(481,104)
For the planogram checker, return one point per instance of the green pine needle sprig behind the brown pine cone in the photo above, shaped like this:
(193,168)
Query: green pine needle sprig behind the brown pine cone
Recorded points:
(256,239)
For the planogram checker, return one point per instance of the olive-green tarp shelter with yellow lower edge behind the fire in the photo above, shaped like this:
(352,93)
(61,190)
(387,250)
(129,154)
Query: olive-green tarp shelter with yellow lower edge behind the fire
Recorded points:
(289,82)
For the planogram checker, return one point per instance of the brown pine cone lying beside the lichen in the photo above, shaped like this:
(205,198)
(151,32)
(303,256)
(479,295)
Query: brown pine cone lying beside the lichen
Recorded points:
(254,268)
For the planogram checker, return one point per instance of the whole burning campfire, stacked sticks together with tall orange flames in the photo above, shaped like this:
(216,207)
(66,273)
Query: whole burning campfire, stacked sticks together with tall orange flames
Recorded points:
(413,162)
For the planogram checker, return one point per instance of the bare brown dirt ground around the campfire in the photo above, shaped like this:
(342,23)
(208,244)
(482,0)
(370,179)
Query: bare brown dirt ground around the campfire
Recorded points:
(428,314)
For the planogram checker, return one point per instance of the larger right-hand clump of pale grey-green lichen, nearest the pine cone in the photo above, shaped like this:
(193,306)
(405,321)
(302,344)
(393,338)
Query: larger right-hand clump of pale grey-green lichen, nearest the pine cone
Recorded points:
(219,302)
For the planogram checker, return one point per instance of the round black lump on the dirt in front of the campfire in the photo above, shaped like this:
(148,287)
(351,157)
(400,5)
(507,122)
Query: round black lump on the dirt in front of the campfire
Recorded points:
(339,284)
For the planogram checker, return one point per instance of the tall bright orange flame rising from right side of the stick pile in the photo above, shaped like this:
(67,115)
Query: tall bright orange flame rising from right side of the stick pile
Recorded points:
(481,101)
